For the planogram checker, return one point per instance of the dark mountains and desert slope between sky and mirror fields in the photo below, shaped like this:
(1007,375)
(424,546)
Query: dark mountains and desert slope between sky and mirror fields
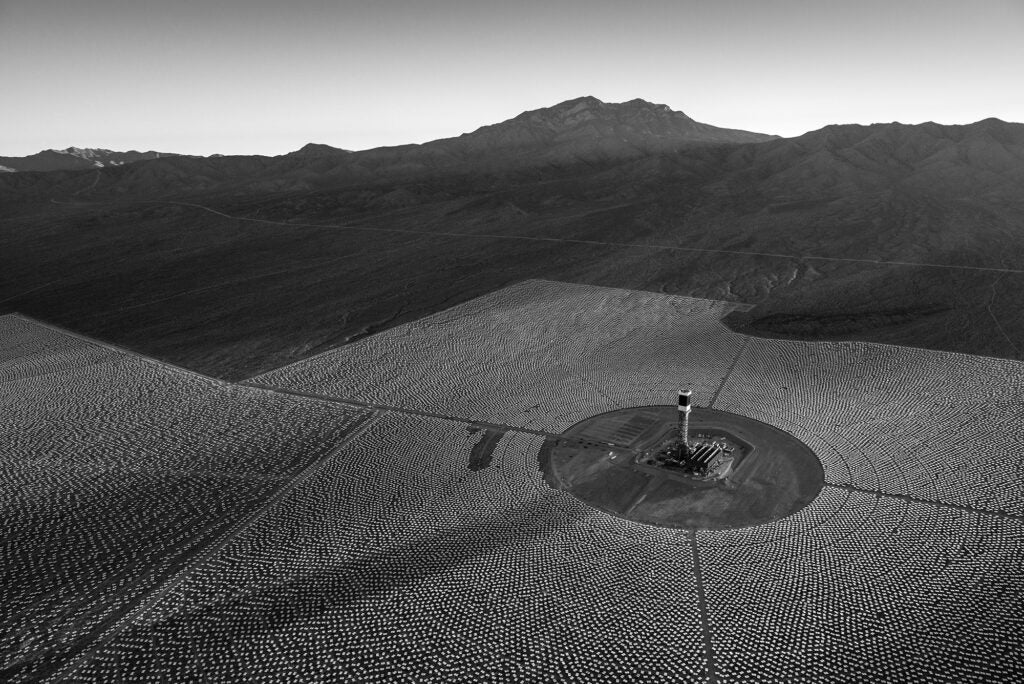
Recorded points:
(890,233)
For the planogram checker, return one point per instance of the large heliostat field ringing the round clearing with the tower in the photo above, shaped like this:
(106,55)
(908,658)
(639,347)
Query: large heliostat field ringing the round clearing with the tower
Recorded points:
(431,548)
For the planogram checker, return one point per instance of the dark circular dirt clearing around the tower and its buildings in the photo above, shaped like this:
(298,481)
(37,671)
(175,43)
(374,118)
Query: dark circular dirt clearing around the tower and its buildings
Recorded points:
(604,461)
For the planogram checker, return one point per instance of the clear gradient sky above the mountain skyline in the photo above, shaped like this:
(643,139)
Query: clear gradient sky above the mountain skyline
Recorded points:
(266,77)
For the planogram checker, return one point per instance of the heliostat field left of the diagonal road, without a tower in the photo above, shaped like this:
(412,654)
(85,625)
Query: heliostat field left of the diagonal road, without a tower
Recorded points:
(117,474)
